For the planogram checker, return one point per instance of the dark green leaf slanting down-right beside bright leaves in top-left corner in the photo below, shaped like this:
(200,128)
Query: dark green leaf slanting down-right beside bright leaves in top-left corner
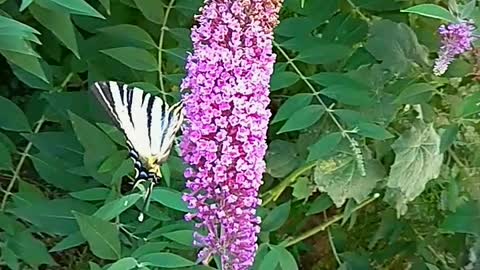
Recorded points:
(59,24)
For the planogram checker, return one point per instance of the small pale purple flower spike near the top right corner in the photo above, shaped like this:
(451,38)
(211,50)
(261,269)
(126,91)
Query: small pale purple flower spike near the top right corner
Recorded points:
(456,39)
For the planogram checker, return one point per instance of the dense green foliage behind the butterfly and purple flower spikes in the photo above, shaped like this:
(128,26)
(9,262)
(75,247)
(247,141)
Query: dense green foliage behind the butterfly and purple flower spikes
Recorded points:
(372,161)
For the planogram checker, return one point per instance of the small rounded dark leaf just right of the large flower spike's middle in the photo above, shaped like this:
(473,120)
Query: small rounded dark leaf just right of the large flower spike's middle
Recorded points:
(281,158)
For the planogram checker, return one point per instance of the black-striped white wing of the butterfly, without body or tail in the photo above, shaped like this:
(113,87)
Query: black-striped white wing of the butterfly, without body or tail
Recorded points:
(148,123)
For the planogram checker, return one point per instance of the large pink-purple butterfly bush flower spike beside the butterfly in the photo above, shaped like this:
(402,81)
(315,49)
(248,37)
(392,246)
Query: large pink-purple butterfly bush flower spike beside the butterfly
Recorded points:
(225,94)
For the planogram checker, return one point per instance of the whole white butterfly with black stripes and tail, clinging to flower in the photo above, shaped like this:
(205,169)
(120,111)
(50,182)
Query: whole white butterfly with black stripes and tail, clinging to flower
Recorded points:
(149,125)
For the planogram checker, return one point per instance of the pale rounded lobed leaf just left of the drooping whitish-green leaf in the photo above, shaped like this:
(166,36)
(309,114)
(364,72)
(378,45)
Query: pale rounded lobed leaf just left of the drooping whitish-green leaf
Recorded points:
(342,179)
